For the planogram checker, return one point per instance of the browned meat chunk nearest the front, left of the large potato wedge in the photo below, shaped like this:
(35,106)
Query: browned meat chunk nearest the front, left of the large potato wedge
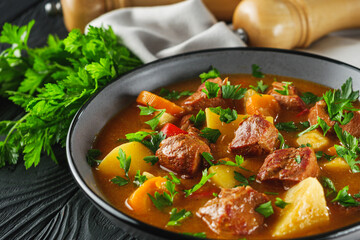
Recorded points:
(233,213)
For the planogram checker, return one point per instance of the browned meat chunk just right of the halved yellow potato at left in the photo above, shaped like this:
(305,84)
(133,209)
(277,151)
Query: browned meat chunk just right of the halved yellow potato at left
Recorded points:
(182,154)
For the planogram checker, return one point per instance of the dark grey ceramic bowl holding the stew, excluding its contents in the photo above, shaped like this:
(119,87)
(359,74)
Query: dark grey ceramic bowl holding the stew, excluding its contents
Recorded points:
(94,114)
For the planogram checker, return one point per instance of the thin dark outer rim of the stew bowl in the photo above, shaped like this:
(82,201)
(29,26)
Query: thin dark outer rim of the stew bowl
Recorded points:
(142,226)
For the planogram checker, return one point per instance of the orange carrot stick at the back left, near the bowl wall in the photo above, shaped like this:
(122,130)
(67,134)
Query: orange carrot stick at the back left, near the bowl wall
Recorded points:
(158,102)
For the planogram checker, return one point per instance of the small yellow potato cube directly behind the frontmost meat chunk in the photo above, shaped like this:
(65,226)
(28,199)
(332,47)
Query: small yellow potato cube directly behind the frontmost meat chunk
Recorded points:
(224,176)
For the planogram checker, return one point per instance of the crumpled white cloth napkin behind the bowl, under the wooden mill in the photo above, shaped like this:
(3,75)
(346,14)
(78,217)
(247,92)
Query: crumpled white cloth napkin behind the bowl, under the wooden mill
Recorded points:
(157,32)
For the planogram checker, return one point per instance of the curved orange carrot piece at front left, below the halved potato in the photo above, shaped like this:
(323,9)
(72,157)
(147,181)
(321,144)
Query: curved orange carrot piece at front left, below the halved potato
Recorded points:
(139,200)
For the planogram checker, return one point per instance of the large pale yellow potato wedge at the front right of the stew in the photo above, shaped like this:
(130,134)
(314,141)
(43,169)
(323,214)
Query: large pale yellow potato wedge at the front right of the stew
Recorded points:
(307,209)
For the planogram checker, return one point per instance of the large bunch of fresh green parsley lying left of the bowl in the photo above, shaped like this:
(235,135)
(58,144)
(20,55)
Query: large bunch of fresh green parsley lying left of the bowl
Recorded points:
(51,83)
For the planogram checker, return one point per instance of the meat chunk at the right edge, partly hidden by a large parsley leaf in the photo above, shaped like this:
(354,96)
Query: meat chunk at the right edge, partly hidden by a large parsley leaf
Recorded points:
(320,110)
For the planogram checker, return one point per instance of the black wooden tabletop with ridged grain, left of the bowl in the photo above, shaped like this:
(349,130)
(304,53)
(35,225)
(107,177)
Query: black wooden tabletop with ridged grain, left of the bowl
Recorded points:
(44,202)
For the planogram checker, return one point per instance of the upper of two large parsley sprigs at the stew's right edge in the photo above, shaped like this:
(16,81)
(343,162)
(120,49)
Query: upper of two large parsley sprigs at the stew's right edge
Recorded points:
(339,102)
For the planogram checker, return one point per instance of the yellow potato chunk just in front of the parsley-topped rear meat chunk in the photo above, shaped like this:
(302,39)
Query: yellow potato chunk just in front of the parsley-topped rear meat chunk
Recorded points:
(228,129)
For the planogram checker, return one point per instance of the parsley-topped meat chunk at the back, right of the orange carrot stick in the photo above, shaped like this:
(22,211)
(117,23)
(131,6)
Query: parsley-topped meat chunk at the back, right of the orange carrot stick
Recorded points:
(199,100)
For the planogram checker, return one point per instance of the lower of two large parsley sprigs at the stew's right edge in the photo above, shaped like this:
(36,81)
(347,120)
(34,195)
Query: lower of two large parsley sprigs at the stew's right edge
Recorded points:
(350,150)
